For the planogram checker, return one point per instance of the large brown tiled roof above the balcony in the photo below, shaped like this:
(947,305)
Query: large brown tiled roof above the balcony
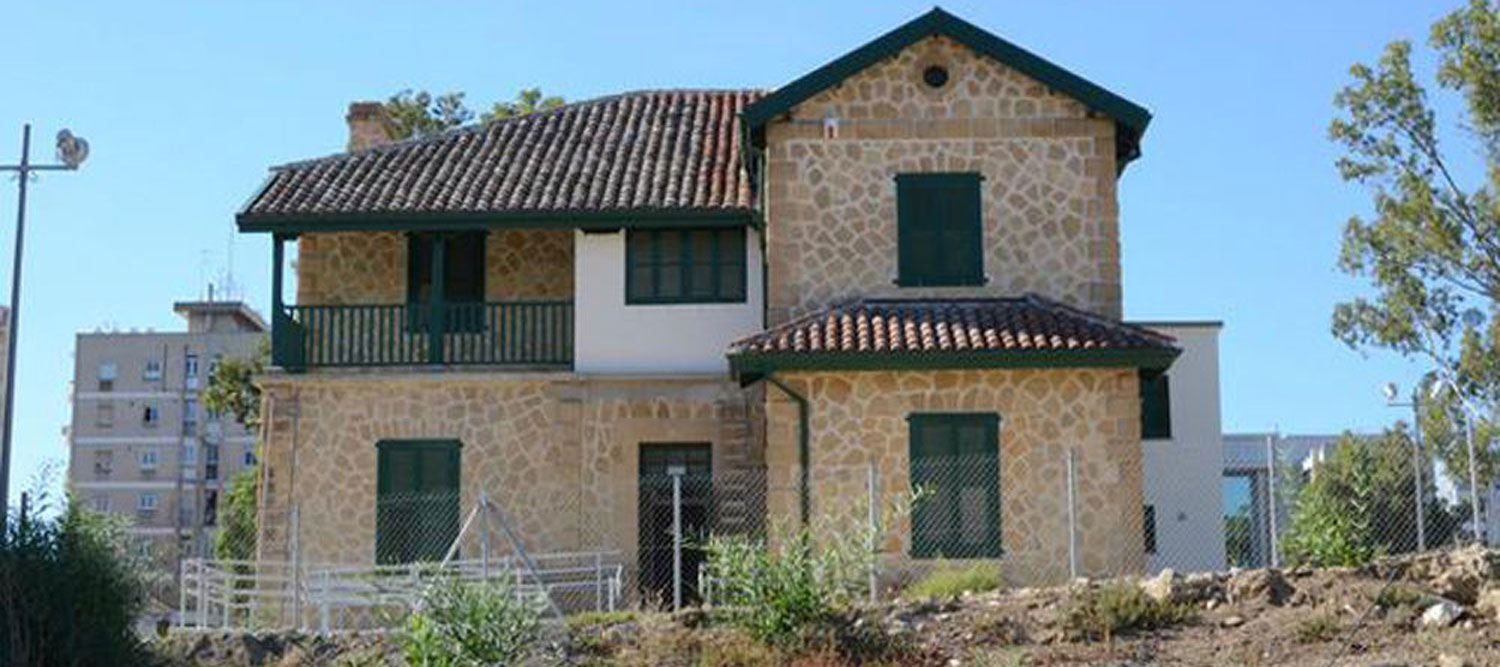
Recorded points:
(634,152)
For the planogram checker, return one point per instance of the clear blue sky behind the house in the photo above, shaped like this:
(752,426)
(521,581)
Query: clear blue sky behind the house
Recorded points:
(1234,214)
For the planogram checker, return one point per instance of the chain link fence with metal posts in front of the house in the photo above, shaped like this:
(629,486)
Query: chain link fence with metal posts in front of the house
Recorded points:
(628,542)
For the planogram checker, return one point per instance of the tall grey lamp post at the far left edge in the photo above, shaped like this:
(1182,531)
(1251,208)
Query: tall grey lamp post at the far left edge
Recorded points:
(71,152)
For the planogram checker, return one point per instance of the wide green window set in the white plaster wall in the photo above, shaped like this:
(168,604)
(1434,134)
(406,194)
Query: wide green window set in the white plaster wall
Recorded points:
(686,266)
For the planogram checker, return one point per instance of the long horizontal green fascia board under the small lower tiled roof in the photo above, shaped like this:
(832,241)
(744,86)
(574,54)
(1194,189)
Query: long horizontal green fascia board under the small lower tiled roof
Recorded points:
(763,363)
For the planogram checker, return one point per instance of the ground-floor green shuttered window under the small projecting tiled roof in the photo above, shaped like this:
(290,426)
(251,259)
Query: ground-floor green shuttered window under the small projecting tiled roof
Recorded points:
(956,467)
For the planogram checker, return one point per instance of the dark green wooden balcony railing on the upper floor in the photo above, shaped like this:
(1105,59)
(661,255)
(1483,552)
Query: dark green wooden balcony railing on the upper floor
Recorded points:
(511,333)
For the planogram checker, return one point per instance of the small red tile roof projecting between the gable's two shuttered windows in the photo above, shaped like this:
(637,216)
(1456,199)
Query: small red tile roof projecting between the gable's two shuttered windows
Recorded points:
(1012,328)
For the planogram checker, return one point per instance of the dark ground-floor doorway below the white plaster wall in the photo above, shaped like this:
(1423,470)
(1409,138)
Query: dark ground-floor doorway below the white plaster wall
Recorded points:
(656,545)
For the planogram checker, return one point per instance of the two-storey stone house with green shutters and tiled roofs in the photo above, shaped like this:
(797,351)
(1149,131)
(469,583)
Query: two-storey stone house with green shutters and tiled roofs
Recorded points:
(908,257)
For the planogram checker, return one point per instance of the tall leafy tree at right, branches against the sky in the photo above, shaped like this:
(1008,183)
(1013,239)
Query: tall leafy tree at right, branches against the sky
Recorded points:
(1432,248)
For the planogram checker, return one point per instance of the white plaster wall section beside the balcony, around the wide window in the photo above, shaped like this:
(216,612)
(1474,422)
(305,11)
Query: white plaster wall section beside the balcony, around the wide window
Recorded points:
(674,339)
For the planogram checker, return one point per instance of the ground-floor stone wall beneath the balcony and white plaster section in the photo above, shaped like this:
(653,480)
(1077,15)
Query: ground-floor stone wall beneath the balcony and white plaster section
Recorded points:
(557,453)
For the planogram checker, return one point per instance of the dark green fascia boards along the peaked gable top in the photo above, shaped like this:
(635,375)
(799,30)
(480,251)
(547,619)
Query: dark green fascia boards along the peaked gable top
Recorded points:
(1130,118)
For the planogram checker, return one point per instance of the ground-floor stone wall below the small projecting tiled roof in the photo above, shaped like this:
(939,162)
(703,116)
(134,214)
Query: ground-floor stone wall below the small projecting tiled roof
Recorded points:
(860,419)
